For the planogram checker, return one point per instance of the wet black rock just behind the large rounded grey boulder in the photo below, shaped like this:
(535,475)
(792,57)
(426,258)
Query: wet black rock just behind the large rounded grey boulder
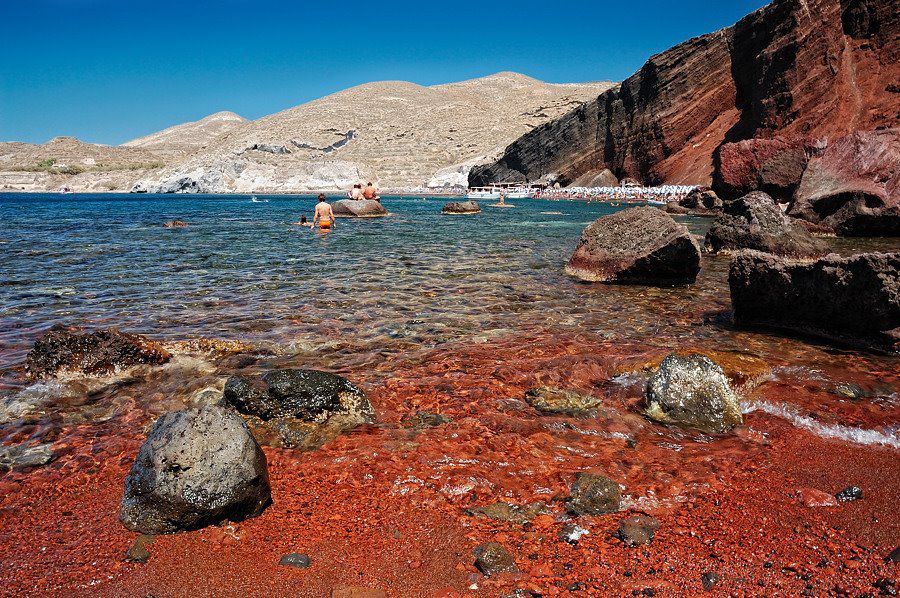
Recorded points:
(298,408)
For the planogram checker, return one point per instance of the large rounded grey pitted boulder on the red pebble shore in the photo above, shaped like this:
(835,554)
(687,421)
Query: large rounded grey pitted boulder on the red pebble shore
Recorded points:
(198,467)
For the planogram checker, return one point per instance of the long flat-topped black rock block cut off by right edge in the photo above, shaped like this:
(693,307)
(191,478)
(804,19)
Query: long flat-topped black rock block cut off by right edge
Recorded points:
(853,300)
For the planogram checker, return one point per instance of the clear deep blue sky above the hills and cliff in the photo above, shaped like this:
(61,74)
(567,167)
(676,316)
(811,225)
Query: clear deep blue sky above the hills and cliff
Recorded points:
(107,71)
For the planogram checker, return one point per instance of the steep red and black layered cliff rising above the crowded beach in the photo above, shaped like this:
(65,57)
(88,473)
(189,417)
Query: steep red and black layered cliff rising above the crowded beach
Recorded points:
(821,68)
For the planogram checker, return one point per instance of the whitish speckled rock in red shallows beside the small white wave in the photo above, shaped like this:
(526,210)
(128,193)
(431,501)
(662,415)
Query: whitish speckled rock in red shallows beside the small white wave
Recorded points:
(692,391)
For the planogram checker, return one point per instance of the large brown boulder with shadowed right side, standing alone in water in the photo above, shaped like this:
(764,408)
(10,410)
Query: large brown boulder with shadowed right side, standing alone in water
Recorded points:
(641,245)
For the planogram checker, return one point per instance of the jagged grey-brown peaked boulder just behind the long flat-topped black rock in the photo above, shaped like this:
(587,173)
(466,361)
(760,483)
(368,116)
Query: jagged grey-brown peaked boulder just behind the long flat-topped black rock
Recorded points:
(755,221)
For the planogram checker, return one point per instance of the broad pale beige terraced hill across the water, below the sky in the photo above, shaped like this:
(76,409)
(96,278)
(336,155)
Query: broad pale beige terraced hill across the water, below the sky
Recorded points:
(397,134)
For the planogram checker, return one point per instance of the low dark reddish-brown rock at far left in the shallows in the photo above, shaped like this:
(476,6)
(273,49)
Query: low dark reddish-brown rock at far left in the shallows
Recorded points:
(70,349)
